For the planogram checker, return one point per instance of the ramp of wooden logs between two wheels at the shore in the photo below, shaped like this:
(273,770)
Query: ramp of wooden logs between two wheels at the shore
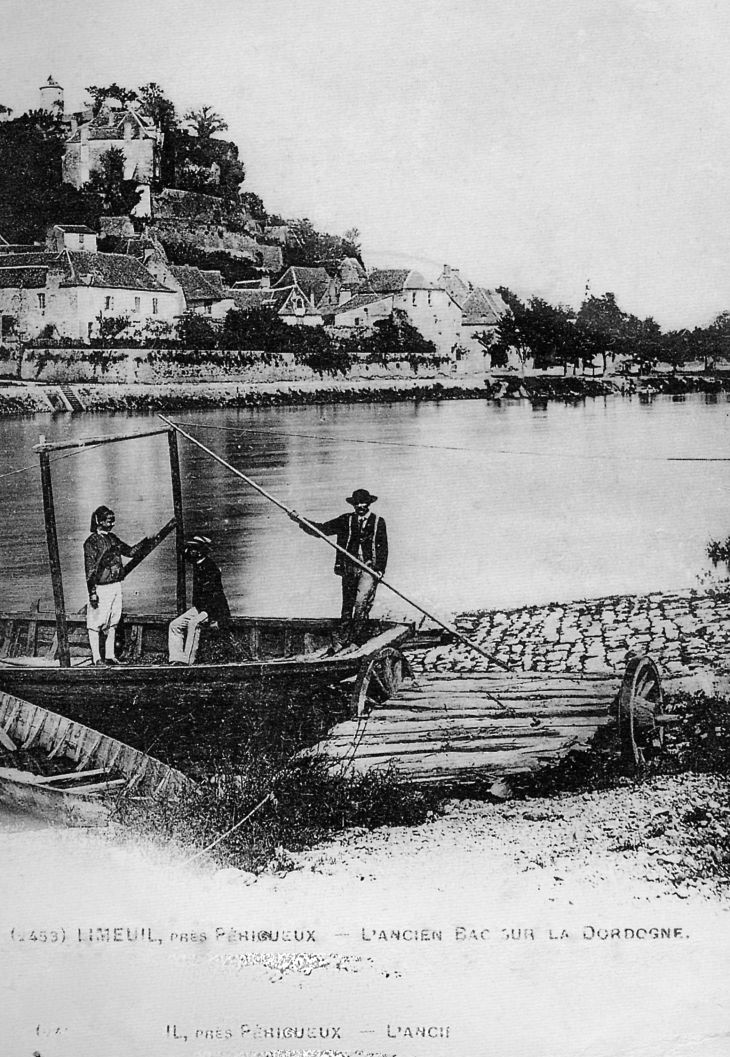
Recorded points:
(453,729)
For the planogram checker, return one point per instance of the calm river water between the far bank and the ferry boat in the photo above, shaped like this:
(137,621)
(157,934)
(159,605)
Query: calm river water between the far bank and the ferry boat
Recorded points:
(486,505)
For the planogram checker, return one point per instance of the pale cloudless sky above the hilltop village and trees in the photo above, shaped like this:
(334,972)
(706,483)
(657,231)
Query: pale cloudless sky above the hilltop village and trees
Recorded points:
(544,145)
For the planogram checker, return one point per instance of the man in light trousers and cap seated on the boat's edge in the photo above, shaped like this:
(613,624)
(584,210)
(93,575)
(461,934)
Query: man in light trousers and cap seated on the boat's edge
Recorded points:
(210,604)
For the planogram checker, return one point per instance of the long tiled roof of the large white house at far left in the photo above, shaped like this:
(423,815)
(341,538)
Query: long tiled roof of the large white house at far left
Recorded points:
(77,269)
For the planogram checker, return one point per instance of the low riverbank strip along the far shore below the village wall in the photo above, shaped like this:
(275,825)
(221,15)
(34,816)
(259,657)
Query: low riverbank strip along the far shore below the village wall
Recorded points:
(34,398)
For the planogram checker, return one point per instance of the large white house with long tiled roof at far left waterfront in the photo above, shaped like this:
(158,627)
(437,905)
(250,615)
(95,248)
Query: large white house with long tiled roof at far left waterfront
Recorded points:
(66,293)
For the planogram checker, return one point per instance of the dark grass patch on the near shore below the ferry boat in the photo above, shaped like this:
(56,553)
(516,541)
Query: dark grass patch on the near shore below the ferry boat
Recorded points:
(309,803)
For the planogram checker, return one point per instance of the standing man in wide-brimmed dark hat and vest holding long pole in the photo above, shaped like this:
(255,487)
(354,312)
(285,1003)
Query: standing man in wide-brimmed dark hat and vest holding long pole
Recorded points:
(364,535)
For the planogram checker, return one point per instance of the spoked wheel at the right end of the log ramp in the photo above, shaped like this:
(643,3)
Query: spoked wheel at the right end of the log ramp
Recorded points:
(640,701)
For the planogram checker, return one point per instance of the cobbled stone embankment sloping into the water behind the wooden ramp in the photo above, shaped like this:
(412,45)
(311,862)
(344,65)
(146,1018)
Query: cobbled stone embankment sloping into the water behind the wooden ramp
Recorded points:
(684,633)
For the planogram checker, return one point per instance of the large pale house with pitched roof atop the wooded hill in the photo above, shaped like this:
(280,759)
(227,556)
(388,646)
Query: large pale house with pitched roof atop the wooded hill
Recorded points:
(115,126)
